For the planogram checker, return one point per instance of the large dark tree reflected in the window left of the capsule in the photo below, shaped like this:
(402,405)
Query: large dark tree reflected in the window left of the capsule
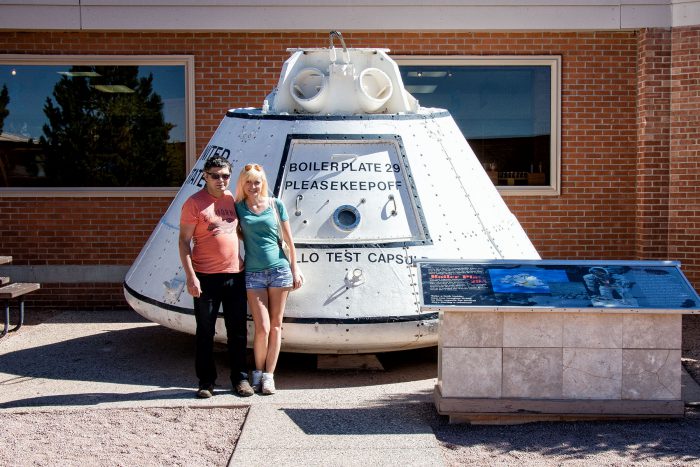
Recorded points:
(106,128)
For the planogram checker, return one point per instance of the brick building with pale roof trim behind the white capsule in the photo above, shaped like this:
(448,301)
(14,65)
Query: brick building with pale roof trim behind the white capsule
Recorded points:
(623,155)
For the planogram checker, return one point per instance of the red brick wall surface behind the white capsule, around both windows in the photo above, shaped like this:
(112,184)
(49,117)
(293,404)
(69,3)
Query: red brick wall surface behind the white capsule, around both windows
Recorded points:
(612,161)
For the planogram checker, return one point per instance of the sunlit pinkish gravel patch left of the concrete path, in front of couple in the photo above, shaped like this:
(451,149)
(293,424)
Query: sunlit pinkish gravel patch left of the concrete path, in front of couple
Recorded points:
(121,437)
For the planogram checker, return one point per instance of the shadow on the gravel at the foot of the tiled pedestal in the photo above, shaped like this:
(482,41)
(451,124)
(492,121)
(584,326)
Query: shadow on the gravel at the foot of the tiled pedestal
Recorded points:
(666,442)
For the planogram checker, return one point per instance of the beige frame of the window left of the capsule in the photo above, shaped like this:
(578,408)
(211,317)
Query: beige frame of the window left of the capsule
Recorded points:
(120,60)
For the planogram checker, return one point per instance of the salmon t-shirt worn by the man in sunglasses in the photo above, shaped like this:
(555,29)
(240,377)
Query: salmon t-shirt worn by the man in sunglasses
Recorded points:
(215,242)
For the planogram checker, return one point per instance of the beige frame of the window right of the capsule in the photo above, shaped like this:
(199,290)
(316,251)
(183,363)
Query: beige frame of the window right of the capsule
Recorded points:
(554,62)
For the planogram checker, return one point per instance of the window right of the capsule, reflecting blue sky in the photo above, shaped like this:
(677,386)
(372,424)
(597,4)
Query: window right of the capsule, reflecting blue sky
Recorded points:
(506,108)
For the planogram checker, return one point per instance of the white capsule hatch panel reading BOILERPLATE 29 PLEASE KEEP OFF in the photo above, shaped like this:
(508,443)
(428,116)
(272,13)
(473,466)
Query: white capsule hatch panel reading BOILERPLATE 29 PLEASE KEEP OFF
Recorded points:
(350,189)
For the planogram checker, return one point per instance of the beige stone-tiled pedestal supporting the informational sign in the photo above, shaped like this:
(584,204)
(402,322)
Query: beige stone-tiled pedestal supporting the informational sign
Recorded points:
(513,367)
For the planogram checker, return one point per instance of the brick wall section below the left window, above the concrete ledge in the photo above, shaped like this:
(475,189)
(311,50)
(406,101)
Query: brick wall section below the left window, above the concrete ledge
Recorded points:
(82,231)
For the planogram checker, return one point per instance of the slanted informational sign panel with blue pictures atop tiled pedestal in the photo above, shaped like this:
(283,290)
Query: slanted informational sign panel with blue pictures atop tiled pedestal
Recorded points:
(551,284)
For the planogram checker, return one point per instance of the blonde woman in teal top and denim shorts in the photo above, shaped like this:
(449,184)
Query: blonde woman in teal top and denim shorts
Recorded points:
(269,275)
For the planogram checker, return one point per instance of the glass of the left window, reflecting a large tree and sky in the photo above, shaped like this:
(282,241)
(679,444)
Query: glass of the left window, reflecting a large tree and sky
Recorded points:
(92,125)
